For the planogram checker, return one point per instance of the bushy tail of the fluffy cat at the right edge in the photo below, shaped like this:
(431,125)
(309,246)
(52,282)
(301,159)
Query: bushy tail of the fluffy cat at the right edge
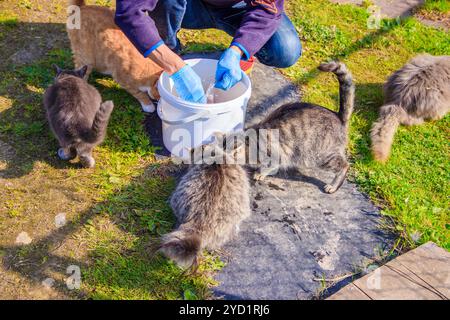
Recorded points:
(383,131)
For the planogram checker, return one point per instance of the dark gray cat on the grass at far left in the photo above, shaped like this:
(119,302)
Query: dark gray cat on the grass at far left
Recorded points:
(76,115)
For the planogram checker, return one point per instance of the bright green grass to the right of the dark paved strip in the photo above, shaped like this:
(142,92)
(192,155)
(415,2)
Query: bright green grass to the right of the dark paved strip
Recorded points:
(413,186)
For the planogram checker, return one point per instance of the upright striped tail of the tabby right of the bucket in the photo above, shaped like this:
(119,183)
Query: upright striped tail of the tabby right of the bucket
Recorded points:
(346,89)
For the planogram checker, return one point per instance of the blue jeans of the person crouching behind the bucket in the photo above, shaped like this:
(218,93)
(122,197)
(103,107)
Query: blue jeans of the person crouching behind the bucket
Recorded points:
(282,50)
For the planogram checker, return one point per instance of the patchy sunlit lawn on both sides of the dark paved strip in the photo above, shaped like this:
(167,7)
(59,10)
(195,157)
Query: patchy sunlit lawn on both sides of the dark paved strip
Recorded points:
(118,210)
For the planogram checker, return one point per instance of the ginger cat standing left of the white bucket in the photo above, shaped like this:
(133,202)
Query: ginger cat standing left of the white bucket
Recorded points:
(103,47)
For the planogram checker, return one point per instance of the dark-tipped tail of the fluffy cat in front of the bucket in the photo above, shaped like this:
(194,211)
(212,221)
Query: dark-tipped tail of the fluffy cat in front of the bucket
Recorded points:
(182,246)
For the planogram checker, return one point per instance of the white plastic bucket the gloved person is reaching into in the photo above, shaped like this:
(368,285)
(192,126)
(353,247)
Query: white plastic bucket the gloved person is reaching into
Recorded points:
(188,125)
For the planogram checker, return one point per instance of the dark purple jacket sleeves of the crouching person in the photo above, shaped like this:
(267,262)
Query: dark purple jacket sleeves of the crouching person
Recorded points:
(258,24)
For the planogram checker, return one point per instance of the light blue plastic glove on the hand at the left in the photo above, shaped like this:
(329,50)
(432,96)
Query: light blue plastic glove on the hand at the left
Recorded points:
(189,85)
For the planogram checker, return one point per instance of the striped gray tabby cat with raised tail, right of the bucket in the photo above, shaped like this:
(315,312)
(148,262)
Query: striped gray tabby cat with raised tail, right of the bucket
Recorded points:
(311,136)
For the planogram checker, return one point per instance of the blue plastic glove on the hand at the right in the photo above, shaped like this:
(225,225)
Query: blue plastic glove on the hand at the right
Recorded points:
(228,71)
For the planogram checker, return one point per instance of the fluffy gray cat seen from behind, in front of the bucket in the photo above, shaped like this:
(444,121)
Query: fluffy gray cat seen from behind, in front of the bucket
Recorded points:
(209,203)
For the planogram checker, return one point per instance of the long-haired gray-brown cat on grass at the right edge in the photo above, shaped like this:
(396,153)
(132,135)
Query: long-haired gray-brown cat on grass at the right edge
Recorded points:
(418,91)
